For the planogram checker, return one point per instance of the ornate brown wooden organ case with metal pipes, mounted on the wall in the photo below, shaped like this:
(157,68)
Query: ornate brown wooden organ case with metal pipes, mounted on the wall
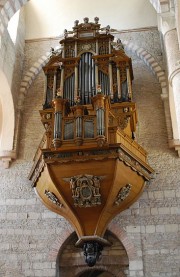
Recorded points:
(89,168)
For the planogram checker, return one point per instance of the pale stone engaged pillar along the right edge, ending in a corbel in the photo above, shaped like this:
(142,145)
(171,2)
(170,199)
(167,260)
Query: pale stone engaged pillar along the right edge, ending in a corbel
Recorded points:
(168,27)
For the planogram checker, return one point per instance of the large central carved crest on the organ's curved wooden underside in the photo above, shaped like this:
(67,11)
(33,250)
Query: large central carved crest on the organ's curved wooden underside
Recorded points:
(85,190)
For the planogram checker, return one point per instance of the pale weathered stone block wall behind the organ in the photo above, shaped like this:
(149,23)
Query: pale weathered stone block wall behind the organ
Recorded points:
(30,235)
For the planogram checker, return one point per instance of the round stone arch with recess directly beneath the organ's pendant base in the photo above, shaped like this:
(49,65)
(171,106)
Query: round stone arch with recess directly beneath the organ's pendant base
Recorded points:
(116,265)
